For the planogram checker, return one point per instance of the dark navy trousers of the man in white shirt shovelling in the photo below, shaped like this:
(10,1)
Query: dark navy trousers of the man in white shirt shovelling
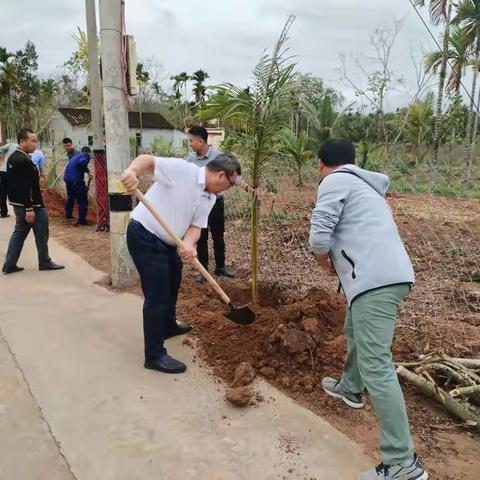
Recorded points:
(160,270)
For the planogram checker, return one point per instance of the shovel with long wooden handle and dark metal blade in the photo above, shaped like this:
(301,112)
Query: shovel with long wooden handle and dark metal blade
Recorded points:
(241,315)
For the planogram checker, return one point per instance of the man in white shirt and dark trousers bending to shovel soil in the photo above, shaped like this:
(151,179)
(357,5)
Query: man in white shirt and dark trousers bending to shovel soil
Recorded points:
(184,195)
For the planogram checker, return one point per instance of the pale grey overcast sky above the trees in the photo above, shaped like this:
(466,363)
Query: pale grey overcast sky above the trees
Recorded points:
(226,37)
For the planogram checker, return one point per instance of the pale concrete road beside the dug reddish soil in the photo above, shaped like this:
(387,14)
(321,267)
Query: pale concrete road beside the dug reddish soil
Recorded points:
(76,402)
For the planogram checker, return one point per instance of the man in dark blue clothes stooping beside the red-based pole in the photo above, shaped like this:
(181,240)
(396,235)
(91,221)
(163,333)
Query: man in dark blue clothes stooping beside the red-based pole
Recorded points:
(74,178)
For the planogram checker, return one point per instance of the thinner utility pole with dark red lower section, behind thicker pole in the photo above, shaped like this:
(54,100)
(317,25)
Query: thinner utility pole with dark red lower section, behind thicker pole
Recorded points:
(101,191)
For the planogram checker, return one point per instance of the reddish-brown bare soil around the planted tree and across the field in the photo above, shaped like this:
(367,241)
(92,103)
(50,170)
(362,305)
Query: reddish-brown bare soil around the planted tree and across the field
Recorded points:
(298,338)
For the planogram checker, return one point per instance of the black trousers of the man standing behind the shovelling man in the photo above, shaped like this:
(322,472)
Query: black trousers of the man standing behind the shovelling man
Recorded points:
(216,225)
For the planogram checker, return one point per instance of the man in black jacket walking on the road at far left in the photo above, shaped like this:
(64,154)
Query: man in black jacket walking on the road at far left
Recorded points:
(26,198)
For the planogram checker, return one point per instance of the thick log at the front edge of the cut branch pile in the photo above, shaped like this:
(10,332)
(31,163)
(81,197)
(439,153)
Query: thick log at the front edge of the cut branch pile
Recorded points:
(442,397)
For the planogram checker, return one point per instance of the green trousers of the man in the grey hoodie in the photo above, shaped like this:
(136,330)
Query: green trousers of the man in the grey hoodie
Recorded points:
(369,328)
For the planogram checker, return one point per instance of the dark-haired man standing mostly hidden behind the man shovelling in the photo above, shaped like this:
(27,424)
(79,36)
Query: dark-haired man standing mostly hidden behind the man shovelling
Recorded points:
(202,154)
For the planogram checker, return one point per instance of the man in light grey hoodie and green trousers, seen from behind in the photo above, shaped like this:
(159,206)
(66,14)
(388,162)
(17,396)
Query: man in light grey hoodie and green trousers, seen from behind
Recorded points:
(353,234)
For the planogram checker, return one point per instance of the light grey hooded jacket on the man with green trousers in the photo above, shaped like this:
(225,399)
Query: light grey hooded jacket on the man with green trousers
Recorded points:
(353,223)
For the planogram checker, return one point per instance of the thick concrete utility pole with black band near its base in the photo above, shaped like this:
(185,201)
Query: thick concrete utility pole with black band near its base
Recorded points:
(117,136)
